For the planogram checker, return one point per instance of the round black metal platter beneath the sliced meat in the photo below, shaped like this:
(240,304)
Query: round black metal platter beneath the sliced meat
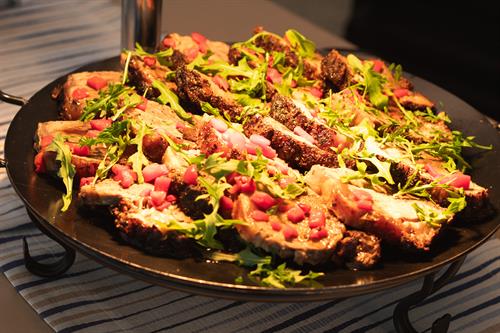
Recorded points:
(87,235)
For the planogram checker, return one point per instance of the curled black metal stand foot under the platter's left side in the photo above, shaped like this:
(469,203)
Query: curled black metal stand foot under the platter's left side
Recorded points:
(54,269)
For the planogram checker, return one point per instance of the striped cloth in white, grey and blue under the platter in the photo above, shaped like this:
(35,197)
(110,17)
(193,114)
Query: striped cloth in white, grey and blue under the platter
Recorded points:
(41,41)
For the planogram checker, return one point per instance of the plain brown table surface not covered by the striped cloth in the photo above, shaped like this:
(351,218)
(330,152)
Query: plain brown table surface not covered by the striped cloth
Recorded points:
(180,16)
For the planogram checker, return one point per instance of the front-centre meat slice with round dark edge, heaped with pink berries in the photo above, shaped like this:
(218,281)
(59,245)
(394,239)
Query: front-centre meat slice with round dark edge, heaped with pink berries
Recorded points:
(297,241)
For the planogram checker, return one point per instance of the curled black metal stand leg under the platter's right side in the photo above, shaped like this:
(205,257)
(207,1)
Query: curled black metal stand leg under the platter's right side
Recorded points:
(430,286)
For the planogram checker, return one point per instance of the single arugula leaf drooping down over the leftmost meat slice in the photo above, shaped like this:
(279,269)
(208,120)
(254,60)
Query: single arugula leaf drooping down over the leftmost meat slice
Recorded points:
(66,169)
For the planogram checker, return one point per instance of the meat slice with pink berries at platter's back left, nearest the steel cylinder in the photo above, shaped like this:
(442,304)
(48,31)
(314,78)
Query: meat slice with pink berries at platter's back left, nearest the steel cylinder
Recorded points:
(79,88)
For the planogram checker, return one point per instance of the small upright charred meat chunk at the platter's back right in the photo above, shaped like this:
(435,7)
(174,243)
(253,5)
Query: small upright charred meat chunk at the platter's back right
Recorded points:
(335,70)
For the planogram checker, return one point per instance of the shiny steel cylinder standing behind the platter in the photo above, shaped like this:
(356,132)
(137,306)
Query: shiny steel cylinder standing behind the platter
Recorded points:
(141,23)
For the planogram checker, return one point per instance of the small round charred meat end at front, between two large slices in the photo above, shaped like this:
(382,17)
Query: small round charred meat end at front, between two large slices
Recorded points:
(359,250)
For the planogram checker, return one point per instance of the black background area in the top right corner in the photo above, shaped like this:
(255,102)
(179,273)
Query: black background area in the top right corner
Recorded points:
(454,44)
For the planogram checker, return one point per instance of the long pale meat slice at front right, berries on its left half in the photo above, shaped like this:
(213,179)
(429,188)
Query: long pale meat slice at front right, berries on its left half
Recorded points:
(393,220)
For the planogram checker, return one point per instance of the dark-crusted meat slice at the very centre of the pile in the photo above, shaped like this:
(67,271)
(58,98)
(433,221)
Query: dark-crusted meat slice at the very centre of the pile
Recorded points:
(295,150)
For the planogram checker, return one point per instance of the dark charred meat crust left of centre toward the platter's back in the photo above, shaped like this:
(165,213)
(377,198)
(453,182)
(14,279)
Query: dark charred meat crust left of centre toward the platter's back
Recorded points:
(197,88)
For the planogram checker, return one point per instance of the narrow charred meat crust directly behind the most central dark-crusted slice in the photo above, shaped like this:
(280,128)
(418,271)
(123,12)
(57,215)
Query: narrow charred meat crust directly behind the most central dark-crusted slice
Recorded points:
(284,111)
